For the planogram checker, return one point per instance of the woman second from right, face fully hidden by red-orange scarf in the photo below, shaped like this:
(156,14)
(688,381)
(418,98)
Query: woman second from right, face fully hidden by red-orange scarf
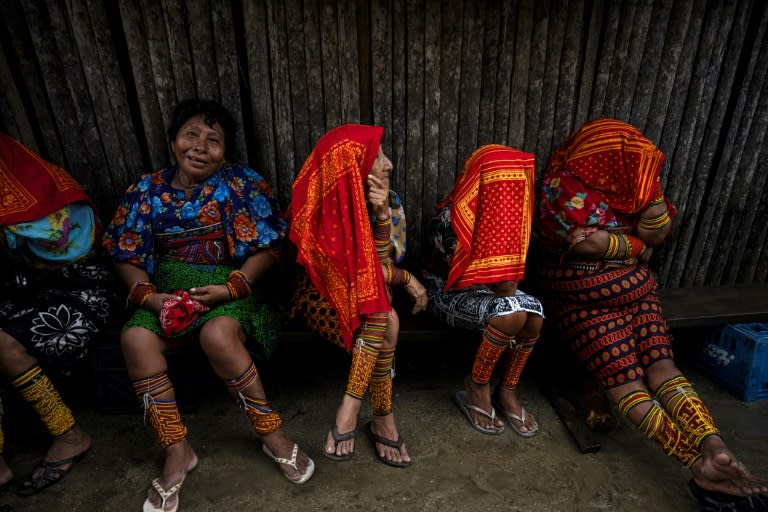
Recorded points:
(479,245)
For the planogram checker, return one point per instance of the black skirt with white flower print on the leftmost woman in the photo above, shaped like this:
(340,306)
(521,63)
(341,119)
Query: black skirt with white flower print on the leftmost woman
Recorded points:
(57,314)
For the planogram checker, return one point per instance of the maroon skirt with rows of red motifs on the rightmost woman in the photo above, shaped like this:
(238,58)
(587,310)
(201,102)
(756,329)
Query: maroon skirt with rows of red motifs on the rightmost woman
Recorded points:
(612,319)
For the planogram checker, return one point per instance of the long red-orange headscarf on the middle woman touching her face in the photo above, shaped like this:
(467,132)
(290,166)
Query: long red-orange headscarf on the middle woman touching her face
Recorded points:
(331,228)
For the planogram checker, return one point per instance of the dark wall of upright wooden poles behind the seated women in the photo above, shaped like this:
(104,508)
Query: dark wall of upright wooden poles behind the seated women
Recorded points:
(90,84)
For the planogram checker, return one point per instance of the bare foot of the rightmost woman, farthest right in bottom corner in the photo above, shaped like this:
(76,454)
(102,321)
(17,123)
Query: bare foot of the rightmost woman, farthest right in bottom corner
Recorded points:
(719,470)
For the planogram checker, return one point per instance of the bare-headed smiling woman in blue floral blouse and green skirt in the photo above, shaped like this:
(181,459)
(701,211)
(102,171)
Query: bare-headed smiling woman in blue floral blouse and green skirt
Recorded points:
(191,243)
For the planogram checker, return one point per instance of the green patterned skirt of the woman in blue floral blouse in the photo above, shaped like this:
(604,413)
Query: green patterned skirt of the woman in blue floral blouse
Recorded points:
(260,321)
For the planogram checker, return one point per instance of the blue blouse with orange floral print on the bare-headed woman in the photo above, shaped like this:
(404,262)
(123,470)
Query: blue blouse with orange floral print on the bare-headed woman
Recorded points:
(234,198)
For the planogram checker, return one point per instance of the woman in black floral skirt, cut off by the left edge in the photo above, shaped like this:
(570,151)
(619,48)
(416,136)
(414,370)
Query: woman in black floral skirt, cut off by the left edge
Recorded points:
(53,299)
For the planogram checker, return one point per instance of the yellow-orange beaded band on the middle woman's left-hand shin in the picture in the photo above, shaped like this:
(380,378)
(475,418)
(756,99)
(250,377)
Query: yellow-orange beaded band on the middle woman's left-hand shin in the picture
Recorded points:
(364,356)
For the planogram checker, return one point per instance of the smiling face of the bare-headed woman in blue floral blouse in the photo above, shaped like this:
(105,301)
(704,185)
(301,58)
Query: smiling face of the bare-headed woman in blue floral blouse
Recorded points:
(199,148)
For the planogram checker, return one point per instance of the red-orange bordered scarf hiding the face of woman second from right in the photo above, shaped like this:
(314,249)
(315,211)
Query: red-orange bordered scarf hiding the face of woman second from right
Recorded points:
(491,214)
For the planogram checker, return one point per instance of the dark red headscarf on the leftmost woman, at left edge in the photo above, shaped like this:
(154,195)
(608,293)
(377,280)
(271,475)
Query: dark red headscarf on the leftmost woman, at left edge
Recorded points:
(30,187)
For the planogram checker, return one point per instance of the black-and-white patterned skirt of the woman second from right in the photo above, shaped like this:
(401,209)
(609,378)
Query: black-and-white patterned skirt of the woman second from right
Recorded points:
(472,309)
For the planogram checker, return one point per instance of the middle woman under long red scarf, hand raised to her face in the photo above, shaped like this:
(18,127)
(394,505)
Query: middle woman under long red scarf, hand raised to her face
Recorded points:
(347,270)
